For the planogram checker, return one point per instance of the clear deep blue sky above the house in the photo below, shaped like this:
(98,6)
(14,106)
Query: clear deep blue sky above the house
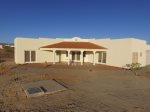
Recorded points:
(70,18)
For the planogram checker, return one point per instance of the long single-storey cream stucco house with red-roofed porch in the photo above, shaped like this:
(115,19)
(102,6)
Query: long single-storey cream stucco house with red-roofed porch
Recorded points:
(114,52)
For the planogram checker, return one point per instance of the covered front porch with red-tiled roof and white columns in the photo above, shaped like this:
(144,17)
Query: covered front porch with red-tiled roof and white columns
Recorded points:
(79,53)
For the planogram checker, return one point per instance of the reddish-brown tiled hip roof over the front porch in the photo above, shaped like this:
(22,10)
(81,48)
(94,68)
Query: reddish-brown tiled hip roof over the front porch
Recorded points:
(76,45)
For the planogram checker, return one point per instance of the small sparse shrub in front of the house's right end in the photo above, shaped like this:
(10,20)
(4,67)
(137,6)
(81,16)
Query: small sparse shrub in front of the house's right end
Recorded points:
(134,67)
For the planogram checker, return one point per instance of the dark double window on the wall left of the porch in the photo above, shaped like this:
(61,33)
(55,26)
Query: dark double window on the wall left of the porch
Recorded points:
(30,56)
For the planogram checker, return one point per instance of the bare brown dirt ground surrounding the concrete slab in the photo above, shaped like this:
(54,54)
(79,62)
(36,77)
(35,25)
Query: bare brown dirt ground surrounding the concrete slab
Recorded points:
(89,90)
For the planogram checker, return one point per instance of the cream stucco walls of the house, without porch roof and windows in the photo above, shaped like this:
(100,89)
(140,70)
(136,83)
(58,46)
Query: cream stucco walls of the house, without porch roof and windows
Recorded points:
(119,51)
